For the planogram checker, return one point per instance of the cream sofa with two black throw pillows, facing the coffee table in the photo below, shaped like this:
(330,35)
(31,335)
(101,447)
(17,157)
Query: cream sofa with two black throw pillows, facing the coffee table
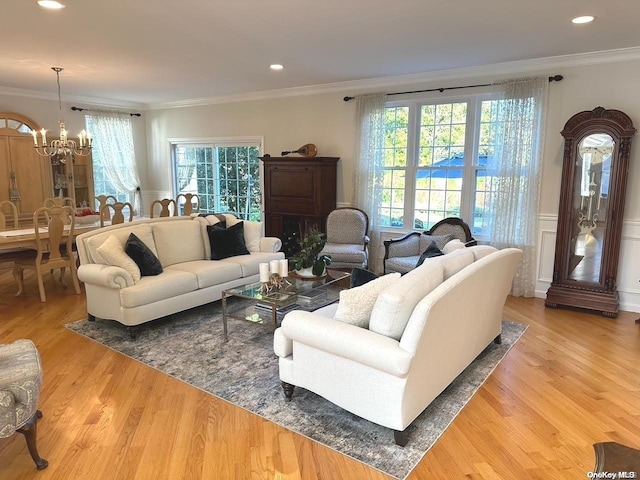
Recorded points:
(189,278)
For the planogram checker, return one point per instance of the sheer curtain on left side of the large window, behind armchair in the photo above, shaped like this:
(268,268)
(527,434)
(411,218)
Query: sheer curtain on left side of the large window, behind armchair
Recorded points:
(369,157)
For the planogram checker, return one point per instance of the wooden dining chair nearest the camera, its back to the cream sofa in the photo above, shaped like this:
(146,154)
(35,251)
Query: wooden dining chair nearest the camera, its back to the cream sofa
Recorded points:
(53,252)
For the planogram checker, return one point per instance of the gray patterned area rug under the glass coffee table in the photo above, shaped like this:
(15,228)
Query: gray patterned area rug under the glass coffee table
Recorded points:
(244,371)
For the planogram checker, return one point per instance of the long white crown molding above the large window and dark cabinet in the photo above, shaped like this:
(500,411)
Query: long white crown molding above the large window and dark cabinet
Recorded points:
(361,86)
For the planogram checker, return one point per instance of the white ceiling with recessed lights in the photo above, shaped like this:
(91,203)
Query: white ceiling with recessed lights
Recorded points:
(144,52)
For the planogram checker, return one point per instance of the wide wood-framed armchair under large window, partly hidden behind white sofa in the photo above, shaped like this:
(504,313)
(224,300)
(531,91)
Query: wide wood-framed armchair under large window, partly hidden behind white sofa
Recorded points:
(402,254)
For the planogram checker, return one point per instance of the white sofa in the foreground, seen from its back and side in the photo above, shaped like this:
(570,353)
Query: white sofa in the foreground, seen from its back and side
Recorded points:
(425,328)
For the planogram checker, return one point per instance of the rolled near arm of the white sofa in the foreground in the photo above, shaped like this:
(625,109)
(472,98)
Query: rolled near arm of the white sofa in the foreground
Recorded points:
(348,341)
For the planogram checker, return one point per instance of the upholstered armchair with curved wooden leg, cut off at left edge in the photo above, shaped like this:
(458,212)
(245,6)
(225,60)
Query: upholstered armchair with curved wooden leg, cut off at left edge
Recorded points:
(20,381)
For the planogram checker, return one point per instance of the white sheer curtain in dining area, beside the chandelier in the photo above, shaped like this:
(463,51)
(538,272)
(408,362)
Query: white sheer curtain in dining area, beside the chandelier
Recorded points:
(113,148)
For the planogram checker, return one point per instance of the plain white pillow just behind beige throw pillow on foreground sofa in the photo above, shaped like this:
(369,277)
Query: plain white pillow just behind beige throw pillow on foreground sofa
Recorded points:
(395,303)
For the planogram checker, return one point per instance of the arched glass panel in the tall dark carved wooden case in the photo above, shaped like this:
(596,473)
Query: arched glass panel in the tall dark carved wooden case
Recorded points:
(591,192)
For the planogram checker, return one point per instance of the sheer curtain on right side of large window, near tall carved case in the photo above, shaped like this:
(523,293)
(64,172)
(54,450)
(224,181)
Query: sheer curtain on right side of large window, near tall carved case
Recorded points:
(515,170)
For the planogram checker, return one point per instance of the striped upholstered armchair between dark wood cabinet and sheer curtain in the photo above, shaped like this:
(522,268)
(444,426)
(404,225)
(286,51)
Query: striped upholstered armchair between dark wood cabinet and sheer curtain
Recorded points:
(347,240)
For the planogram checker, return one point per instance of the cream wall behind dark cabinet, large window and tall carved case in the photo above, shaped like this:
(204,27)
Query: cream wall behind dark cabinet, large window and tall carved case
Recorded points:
(327,121)
